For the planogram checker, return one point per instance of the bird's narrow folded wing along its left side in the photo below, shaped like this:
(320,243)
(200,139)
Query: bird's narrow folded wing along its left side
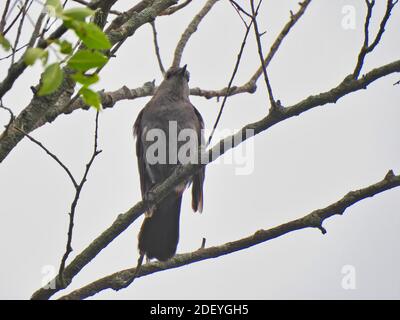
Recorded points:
(145,180)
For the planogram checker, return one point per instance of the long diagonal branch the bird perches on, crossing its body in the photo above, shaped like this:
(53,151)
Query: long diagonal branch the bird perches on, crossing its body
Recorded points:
(184,172)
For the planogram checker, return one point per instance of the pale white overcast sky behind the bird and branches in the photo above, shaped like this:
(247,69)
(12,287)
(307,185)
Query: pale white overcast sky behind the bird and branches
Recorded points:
(300,165)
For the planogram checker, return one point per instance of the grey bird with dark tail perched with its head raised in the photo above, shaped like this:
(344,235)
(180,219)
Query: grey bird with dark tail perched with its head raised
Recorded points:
(168,110)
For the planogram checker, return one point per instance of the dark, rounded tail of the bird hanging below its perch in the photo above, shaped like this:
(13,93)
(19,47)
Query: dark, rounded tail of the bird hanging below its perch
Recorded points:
(159,234)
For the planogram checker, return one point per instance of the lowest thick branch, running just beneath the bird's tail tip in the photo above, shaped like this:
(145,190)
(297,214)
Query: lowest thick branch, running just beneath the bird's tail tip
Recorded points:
(314,219)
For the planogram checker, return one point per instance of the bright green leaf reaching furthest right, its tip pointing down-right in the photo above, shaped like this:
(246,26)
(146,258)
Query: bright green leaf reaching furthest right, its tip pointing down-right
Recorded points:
(91,35)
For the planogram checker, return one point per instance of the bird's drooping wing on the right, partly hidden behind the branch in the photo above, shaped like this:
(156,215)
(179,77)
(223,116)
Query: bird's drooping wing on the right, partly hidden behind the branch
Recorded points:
(198,178)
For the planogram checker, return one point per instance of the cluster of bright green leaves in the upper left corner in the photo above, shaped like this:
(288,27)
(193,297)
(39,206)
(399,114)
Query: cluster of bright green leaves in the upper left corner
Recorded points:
(84,60)
